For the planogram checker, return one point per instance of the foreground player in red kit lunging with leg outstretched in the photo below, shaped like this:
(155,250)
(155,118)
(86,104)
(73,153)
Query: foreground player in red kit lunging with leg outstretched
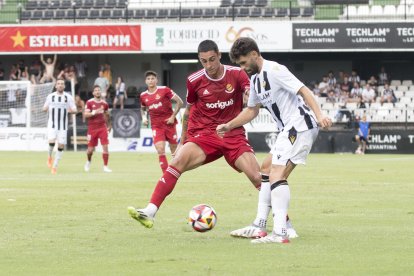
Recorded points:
(214,96)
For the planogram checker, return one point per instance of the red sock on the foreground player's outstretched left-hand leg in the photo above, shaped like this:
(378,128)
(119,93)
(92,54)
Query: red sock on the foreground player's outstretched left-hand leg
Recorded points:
(165,185)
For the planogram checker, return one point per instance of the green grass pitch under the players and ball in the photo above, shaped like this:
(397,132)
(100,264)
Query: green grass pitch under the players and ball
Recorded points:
(354,215)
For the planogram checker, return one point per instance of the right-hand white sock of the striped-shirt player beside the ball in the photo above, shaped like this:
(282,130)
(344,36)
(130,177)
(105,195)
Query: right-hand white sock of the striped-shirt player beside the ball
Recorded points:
(280,195)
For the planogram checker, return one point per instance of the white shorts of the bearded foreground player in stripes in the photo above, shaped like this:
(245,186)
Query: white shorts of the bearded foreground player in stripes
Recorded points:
(293,147)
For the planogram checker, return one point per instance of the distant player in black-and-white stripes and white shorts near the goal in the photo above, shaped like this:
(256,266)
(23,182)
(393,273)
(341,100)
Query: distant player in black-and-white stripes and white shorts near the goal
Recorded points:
(59,104)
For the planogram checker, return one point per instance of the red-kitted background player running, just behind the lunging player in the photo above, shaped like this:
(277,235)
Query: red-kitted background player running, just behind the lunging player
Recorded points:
(157,101)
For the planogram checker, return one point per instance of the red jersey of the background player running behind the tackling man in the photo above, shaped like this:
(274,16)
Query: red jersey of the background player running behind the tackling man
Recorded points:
(159,105)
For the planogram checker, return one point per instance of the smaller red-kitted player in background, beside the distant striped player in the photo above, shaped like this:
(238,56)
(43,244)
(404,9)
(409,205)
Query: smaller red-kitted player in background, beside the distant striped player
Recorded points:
(99,125)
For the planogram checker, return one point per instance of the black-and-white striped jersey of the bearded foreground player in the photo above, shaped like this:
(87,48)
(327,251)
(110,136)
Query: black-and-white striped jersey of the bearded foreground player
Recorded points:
(276,88)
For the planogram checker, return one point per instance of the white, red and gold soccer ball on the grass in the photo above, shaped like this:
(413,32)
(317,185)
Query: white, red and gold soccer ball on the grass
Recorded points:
(202,218)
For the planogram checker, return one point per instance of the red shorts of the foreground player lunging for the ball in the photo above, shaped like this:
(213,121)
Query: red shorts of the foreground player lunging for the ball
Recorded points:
(215,147)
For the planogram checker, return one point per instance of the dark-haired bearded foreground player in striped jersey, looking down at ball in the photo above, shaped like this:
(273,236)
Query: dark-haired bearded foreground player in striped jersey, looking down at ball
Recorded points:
(296,113)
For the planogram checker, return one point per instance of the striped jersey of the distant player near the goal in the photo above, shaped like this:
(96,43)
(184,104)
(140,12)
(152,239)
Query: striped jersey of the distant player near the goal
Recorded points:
(58,106)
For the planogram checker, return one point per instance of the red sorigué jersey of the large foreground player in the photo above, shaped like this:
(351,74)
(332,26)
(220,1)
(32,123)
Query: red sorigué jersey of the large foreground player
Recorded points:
(215,101)
